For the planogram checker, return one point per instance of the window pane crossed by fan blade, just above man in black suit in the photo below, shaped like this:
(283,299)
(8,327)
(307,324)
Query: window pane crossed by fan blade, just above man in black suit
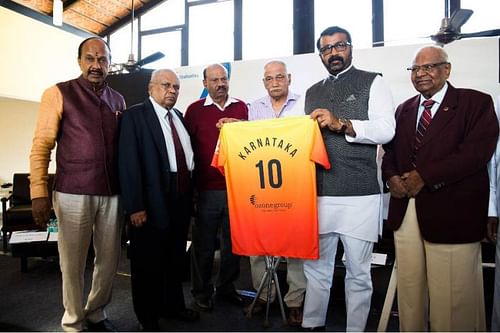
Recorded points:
(169,43)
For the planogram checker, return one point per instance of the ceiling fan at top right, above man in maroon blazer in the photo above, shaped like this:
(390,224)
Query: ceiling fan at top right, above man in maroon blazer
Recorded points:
(450,28)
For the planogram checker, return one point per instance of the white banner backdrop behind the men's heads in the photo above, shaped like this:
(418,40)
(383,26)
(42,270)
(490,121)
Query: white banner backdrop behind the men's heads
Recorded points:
(474,65)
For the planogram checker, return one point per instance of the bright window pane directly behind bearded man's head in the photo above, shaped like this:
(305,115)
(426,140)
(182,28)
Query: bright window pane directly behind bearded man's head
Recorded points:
(355,16)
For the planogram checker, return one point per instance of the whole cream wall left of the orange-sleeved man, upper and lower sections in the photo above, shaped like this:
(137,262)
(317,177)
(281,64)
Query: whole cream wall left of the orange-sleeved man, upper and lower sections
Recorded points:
(34,56)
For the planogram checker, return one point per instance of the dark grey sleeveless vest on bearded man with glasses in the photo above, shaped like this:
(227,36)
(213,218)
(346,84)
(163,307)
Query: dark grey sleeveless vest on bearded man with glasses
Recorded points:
(353,169)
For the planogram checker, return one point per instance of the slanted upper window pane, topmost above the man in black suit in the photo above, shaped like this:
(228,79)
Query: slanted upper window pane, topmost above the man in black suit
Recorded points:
(167,14)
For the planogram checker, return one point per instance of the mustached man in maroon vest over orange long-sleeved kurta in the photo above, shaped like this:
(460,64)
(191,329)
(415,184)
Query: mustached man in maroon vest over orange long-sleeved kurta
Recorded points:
(82,116)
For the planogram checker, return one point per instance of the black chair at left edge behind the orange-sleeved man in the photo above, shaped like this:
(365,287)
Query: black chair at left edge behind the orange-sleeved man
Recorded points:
(16,215)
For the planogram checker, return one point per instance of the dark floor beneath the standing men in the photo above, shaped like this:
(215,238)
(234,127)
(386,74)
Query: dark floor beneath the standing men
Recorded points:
(31,301)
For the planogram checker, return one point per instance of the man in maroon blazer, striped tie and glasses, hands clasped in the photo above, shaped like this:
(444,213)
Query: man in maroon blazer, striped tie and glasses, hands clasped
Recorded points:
(436,171)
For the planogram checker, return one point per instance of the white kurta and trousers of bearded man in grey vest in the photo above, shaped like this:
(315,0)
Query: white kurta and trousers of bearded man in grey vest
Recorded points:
(356,221)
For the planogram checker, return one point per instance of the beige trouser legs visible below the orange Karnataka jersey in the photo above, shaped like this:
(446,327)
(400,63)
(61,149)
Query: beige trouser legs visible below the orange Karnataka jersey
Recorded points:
(294,277)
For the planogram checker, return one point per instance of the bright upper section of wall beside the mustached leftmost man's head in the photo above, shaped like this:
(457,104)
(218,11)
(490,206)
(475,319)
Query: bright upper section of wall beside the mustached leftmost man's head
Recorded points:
(34,56)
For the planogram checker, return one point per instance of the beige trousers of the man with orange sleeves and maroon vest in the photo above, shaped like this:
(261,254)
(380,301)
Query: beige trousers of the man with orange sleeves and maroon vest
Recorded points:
(82,218)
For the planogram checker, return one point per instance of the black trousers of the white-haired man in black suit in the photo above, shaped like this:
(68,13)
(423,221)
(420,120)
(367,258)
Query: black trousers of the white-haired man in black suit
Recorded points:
(157,259)
